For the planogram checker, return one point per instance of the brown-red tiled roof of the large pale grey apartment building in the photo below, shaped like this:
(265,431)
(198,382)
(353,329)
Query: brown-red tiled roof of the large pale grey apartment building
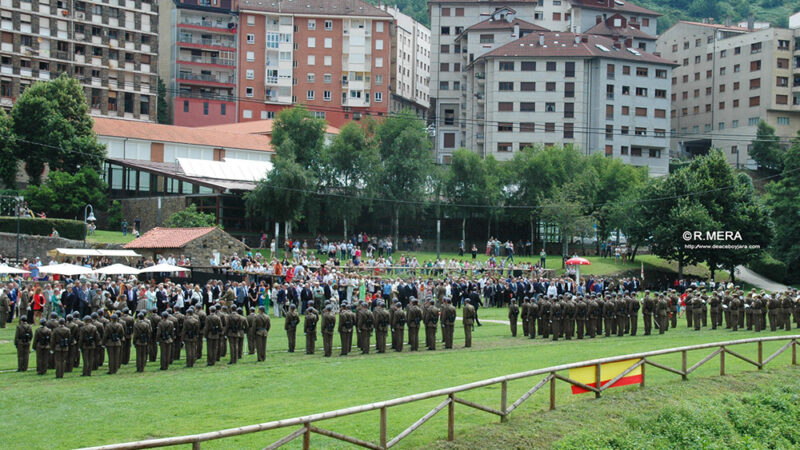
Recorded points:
(563,45)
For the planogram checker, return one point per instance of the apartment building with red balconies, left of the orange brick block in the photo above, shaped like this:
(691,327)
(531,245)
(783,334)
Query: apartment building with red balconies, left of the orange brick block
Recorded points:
(197,60)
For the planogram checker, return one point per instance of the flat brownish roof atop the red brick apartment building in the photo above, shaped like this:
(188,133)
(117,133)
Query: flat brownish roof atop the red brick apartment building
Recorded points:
(315,7)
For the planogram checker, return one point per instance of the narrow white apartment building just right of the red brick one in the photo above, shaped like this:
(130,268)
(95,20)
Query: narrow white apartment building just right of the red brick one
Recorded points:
(411,63)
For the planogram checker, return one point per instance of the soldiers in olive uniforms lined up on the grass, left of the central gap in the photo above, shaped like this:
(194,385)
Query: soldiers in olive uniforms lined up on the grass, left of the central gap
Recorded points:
(60,343)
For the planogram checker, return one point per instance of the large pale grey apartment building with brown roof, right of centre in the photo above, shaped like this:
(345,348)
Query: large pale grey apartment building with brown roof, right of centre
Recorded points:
(549,88)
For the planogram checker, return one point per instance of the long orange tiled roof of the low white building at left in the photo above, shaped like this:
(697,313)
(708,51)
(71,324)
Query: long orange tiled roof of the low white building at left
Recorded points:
(184,135)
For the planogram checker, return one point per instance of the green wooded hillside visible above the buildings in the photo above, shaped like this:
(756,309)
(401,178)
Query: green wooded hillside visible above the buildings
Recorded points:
(775,11)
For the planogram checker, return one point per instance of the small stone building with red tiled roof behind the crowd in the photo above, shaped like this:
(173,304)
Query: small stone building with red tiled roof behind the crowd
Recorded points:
(200,244)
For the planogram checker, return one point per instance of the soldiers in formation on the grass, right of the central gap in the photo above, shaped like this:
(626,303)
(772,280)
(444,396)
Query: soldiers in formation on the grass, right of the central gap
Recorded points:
(567,316)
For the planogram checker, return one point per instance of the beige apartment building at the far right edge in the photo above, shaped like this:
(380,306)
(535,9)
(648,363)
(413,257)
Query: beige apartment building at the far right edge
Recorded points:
(727,79)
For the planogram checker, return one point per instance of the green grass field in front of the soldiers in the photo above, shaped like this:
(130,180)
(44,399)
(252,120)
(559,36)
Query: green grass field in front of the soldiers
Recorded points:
(76,411)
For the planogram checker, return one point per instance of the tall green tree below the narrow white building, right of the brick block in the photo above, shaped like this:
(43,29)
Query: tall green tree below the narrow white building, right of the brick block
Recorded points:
(405,172)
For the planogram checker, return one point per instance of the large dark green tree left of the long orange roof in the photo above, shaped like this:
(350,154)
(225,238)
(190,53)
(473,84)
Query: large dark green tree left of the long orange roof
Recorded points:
(52,126)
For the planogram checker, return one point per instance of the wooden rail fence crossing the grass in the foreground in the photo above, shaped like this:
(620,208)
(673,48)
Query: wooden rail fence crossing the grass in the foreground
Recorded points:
(307,423)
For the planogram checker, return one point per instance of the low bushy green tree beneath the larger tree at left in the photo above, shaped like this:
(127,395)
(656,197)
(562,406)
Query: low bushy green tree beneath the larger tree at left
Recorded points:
(64,195)
